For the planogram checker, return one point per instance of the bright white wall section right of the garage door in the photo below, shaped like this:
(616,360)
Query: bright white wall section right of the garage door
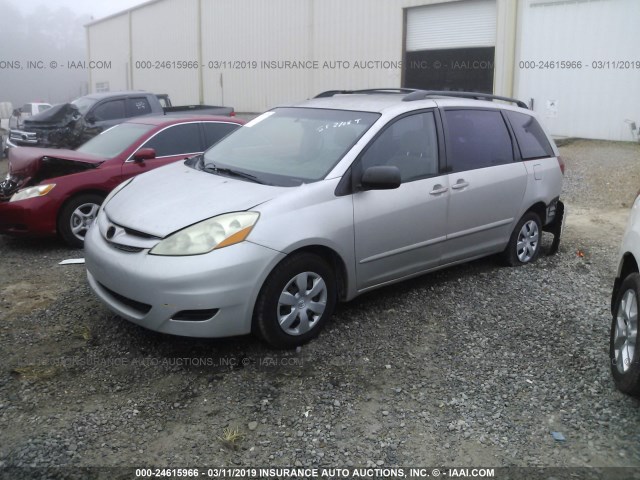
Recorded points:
(583,102)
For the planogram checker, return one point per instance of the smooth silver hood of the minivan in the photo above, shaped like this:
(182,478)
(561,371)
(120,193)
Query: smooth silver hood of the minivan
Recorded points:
(173,197)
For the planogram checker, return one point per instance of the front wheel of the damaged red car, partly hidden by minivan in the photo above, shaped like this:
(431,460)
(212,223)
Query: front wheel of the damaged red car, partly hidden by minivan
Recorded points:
(77,216)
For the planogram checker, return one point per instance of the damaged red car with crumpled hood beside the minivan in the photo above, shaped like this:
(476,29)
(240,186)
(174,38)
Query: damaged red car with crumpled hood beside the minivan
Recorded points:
(50,191)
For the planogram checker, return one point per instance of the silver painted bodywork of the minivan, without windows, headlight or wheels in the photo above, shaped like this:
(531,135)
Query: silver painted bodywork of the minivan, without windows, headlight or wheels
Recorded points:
(373,237)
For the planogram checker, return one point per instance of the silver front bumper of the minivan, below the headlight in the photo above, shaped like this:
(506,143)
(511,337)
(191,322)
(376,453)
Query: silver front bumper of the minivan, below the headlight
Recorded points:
(152,290)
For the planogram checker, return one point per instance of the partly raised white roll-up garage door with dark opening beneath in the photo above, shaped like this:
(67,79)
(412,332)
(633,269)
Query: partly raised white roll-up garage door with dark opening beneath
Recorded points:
(451,46)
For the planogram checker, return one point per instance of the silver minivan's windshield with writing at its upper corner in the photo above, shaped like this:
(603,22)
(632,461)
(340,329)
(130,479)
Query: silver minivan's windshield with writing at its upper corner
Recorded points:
(289,146)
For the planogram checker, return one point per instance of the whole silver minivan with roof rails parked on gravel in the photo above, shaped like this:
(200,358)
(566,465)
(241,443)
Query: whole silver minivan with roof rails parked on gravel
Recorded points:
(319,202)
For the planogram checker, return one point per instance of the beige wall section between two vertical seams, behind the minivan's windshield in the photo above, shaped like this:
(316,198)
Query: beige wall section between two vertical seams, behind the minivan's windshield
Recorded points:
(239,35)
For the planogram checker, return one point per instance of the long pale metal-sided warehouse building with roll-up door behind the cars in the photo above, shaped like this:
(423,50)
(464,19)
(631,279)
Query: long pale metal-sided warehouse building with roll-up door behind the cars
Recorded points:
(577,62)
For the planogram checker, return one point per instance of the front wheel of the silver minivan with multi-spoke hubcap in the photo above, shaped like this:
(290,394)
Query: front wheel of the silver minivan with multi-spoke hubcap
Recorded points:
(285,315)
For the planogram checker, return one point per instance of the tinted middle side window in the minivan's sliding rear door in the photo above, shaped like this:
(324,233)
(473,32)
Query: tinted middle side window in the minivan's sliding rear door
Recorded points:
(477,139)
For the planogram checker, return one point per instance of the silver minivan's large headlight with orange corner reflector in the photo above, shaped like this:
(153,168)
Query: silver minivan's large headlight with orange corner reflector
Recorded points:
(217,232)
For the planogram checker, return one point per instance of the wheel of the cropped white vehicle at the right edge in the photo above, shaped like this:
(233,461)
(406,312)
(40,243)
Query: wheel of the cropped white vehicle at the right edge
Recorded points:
(624,346)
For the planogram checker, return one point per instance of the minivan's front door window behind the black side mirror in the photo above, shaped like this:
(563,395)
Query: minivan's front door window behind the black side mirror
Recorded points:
(411,144)
